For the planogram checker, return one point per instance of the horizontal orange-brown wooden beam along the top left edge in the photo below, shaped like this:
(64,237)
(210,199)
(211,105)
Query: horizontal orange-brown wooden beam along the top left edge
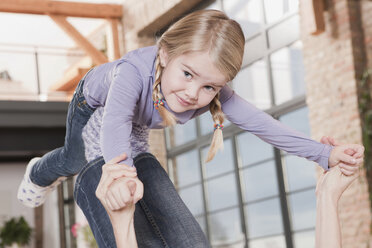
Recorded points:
(73,9)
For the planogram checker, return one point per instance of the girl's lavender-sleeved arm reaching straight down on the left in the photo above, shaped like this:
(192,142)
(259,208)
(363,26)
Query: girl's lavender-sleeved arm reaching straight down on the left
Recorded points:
(124,93)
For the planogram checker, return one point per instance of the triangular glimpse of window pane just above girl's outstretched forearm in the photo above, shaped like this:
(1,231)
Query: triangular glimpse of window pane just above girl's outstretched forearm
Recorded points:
(298,120)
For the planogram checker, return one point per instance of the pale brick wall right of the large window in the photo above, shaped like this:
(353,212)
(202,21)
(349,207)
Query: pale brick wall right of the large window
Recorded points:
(333,62)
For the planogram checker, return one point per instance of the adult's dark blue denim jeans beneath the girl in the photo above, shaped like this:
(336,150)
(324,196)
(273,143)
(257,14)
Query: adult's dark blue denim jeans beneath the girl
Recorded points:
(161,218)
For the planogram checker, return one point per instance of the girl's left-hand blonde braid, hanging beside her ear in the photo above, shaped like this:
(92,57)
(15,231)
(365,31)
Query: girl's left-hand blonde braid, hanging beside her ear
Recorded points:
(168,118)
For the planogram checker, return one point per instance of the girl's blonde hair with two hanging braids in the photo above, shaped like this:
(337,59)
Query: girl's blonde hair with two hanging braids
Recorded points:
(203,31)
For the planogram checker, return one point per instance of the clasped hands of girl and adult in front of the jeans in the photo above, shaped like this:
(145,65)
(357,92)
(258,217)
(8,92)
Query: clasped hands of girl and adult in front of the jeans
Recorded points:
(119,185)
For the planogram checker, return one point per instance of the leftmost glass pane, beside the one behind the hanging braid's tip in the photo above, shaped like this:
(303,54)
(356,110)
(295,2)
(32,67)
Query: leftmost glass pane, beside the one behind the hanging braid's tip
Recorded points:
(186,169)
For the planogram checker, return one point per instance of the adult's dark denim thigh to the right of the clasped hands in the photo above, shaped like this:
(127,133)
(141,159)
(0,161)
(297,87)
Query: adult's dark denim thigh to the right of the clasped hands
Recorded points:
(165,209)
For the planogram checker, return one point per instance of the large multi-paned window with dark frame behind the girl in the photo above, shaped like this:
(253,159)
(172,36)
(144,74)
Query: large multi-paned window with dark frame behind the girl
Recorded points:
(252,194)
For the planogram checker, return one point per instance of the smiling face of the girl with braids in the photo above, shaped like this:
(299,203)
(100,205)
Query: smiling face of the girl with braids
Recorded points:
(190,81)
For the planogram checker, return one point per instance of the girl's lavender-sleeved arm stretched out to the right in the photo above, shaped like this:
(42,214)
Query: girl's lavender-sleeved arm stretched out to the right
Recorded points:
(248,117)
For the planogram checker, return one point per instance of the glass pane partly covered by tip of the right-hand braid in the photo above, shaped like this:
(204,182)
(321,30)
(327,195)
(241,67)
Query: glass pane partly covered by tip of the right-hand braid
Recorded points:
(223,161)
